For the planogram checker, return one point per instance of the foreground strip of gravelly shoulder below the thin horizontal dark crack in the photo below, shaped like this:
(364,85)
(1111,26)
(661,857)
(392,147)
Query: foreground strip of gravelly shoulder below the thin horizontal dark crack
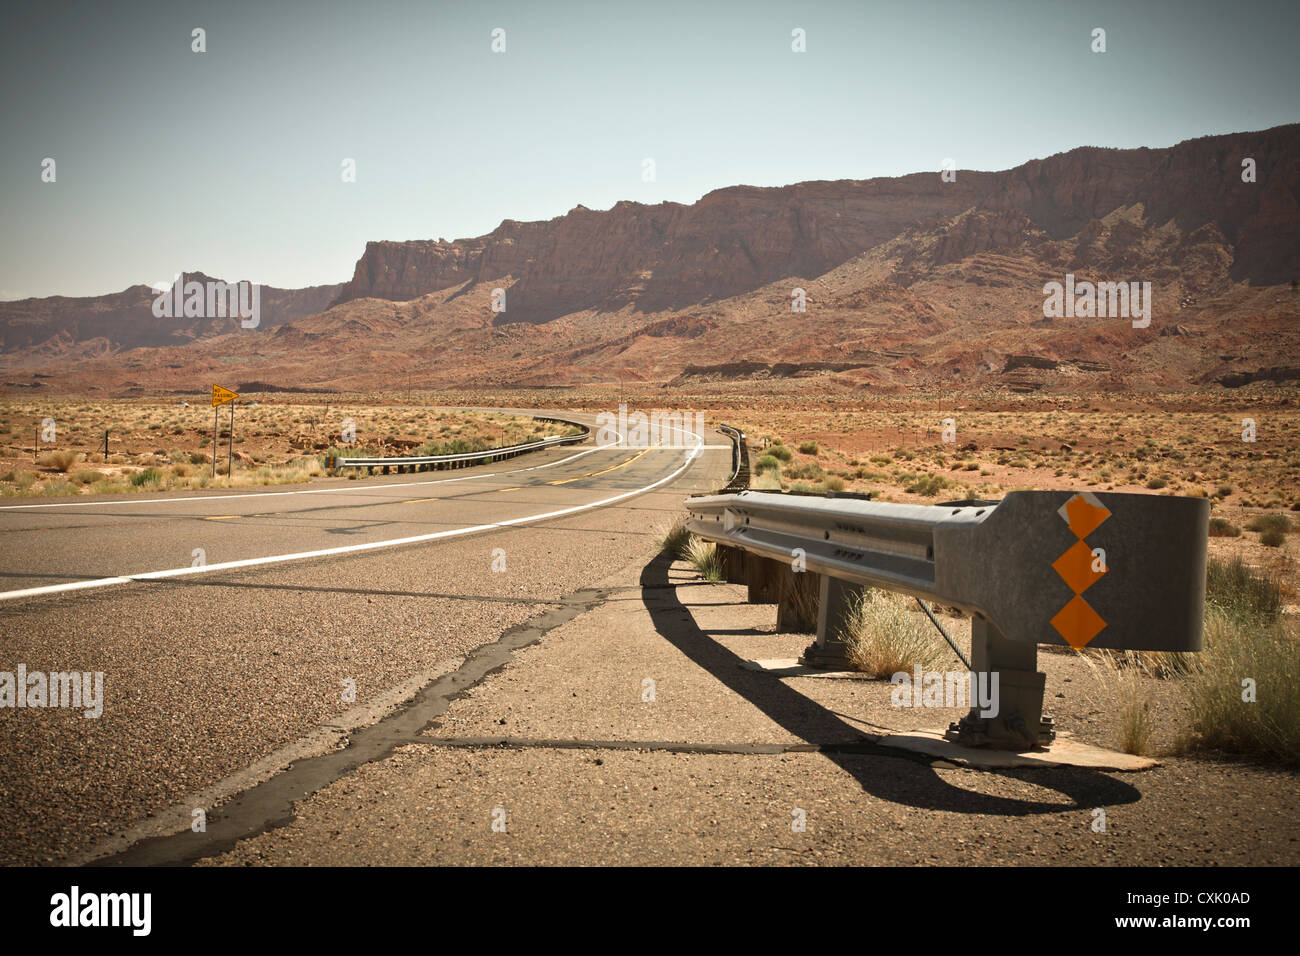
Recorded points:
(435,806)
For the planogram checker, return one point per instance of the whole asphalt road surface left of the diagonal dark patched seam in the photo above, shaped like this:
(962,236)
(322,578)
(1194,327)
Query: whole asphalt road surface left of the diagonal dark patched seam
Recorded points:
(232,624)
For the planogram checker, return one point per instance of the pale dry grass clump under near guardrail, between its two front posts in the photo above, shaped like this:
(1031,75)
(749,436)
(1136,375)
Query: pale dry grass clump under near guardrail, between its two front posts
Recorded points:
(883,637)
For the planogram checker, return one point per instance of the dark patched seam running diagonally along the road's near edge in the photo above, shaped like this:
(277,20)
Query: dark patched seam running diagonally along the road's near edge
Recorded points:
(271,804)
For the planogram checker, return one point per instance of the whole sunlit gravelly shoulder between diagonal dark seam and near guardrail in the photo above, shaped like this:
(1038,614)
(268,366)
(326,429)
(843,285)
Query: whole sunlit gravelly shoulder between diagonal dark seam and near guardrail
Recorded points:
(431,804)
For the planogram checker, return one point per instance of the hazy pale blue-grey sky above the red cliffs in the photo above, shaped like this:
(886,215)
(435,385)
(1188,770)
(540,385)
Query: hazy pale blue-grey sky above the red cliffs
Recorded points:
(229,162)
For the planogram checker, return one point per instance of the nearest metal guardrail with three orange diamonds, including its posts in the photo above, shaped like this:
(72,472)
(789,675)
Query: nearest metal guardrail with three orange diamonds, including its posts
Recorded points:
(1100,570)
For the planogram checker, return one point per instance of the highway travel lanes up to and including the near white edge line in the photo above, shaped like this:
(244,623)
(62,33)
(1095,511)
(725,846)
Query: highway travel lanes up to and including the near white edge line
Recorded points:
(83,544)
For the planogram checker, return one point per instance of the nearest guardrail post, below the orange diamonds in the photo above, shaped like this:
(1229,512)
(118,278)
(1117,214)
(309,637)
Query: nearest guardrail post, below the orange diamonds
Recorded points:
(1017,695)
